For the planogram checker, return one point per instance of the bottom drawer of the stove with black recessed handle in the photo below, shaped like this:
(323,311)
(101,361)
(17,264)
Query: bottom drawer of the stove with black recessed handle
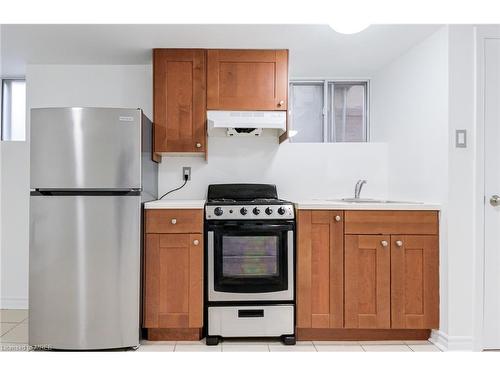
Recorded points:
(252,321)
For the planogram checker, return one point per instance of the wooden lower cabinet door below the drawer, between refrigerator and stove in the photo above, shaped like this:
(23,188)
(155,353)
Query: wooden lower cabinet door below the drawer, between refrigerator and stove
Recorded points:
(173,295)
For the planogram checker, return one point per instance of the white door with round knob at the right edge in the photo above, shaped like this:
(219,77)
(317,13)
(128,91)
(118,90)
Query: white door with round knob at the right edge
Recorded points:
(491,334)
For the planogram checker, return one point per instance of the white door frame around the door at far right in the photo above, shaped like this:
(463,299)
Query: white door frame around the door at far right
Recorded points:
(481,34)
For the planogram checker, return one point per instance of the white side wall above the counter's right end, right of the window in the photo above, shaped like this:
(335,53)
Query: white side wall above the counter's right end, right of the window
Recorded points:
(409,112)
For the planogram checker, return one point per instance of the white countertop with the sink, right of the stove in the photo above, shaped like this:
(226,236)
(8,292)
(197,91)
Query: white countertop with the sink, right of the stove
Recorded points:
(319,204)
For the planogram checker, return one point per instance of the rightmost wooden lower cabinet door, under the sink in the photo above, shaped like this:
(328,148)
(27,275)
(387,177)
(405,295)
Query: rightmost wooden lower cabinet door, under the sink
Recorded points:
(414,282)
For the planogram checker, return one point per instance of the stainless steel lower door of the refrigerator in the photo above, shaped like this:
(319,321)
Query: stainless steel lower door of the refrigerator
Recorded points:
(84,271)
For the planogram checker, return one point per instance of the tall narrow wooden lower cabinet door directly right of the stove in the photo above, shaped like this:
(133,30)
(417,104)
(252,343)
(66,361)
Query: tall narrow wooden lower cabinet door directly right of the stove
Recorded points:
(320,269)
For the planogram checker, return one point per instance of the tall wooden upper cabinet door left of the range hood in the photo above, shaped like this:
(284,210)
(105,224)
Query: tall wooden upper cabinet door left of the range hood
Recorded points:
(179,100)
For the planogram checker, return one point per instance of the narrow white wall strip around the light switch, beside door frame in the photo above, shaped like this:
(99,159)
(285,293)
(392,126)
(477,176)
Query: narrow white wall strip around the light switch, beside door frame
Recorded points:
(461,191)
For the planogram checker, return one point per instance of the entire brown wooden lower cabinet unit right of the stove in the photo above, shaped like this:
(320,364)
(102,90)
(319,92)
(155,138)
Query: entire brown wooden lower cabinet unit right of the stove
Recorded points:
(356,286)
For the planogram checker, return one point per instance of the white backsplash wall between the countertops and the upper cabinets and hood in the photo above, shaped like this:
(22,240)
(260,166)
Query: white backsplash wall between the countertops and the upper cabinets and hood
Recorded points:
(300,171)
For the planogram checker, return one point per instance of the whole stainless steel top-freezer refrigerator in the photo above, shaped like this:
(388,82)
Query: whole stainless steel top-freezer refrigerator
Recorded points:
(91,170)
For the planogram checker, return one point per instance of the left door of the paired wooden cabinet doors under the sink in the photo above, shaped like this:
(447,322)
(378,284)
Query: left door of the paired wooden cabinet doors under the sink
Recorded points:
(367,281)
